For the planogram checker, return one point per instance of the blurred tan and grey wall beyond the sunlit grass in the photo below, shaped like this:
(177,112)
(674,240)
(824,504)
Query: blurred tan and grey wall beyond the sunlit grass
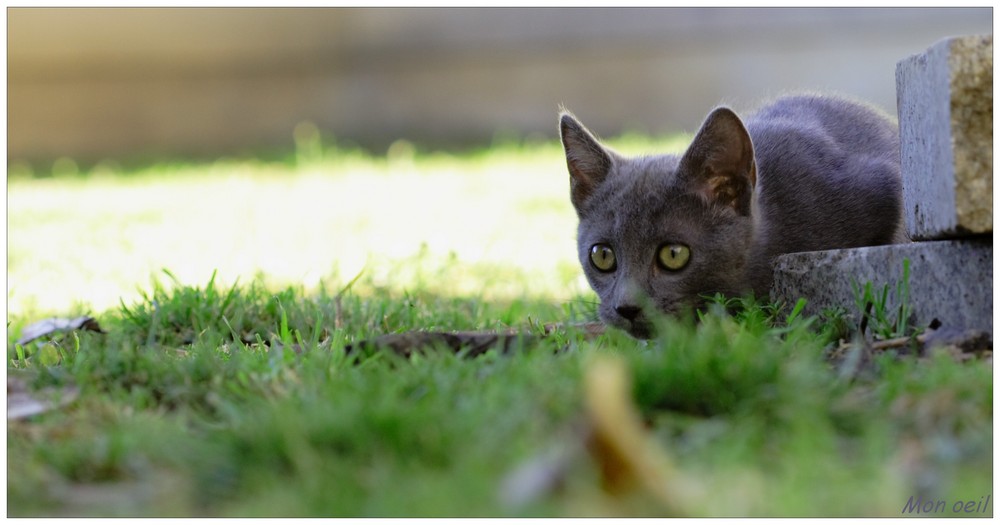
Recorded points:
(98,83)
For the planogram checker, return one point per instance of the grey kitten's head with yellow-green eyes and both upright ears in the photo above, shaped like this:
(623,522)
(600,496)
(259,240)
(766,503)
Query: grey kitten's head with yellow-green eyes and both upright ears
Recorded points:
(657,233)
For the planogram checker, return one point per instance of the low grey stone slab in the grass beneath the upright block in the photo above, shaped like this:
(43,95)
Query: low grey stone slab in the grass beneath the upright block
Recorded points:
(951,281)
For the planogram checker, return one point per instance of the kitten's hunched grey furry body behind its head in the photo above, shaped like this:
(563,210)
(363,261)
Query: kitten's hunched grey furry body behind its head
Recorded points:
(828,175)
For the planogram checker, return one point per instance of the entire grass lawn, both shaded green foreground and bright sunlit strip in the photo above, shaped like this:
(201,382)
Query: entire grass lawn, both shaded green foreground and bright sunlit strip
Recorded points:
(227,292)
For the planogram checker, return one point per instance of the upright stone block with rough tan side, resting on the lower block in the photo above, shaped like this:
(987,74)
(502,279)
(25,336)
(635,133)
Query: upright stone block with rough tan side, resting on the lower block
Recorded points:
(945,101)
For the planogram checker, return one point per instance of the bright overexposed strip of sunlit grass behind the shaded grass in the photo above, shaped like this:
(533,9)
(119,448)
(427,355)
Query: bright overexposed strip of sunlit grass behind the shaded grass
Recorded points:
(83,242)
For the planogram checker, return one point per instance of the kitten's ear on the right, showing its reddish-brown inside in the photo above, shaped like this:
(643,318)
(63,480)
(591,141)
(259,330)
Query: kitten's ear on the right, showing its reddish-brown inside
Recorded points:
(719,163)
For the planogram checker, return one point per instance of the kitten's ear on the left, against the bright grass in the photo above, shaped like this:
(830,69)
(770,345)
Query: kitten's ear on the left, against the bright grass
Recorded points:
(589,163)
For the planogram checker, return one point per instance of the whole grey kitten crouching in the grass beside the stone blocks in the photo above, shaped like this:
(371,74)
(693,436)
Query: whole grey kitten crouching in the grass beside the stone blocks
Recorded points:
(660,232)
